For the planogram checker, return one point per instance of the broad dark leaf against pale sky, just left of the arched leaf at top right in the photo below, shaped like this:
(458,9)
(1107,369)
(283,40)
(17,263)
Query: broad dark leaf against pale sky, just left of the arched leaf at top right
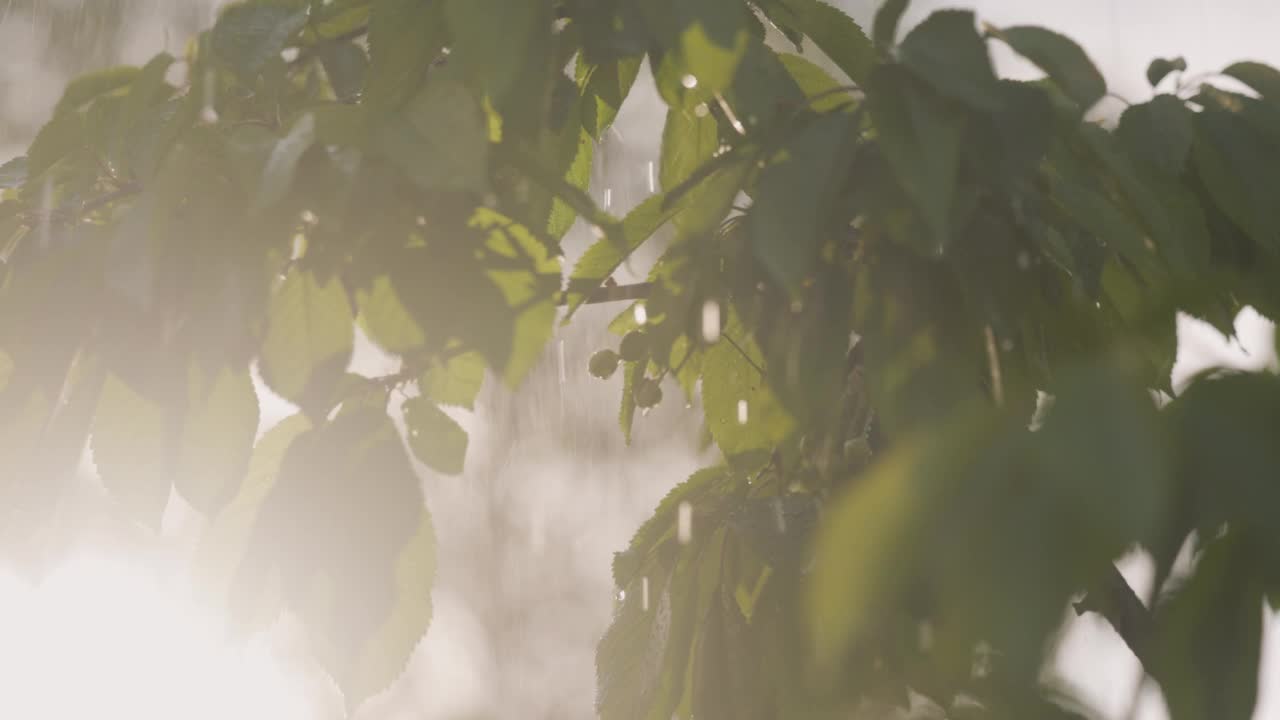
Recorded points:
(948,53)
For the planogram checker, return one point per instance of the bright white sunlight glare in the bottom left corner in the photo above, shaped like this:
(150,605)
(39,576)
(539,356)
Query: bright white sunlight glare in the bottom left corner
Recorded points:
(104,639)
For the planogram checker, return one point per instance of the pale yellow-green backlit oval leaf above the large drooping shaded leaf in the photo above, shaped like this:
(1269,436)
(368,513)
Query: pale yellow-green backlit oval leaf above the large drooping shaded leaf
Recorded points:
(309,339)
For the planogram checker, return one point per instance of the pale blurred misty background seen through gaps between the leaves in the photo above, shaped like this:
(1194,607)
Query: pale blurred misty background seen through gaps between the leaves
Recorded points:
(551,491)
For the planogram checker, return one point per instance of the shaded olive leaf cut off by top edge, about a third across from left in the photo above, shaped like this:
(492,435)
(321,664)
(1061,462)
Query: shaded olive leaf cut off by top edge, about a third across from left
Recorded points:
(405,37)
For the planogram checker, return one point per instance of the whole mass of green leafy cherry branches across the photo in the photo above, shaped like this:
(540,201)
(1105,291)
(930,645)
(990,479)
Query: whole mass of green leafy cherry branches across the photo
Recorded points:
(929,315)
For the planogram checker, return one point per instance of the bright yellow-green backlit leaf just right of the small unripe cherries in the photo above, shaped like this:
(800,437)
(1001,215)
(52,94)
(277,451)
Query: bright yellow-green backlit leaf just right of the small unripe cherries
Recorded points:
(742,411)
